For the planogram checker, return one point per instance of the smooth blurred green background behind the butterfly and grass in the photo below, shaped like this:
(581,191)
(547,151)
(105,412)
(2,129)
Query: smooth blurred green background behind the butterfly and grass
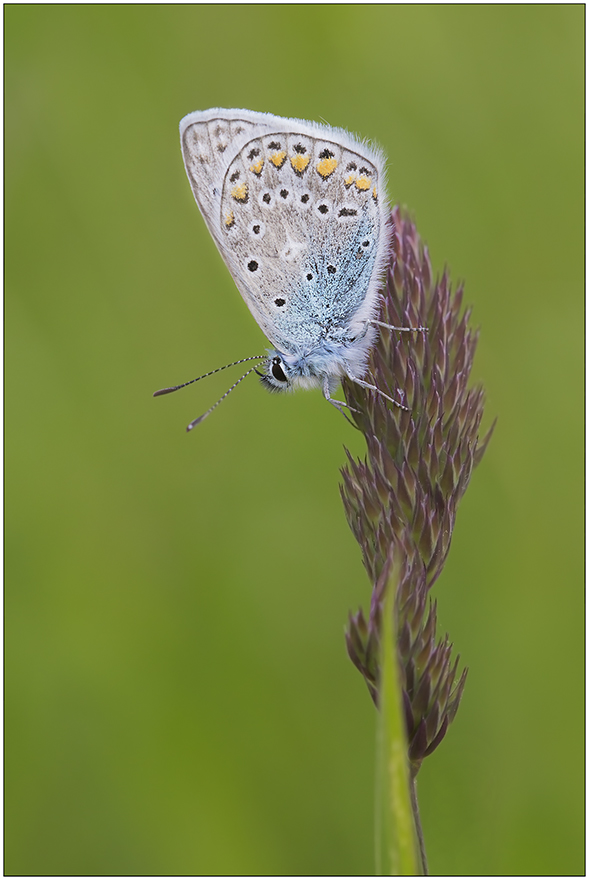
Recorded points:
(178,695)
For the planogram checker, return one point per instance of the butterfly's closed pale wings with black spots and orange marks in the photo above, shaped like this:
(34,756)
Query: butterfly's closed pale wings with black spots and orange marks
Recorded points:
(298,212)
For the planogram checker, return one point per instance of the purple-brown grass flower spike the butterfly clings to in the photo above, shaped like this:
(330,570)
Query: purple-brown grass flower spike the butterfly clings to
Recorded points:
(401,500)
